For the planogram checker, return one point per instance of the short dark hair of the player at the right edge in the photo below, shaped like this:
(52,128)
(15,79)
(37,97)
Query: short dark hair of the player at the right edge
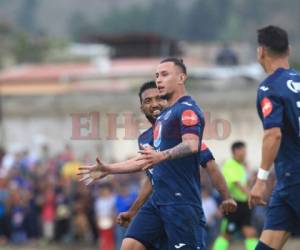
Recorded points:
(274,38)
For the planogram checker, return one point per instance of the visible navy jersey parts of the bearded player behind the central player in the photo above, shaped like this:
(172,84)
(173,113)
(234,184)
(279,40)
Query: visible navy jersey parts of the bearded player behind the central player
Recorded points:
(146,139)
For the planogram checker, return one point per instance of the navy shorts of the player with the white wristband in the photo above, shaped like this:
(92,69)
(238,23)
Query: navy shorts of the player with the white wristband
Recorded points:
(283,212)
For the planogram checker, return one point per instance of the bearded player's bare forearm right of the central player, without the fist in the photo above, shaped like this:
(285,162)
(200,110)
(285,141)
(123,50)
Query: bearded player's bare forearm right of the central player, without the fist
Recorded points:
(217,179)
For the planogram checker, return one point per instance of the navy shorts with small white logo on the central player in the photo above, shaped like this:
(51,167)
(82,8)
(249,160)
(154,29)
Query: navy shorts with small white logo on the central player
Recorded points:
(181,225)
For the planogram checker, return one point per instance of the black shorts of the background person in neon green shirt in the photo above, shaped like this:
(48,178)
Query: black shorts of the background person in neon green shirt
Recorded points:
(235,221)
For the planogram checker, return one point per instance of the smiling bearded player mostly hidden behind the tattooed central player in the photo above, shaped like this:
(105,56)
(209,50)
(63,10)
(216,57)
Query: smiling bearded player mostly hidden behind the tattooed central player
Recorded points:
(149,98)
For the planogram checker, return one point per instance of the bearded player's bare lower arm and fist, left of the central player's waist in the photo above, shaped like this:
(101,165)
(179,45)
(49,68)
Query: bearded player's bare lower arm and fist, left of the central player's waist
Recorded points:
(124,218)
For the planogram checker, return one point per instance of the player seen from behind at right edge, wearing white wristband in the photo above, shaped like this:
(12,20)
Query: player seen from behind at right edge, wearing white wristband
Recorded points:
(278,104)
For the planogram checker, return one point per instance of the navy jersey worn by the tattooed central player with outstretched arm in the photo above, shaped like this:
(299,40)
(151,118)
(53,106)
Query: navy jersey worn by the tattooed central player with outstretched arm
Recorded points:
(177,181)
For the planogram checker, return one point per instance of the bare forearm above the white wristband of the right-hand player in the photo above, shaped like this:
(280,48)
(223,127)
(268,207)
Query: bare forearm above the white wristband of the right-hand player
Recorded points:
(270,147)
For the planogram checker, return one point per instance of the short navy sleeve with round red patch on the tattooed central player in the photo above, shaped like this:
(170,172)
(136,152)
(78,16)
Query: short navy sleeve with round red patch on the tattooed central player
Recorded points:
(191,121)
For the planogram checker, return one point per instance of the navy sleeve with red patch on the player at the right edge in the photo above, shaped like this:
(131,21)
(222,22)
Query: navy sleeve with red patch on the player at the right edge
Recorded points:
(270,108)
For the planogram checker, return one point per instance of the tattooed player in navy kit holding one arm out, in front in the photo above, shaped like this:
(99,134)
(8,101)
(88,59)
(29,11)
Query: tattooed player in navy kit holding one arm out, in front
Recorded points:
(175,204)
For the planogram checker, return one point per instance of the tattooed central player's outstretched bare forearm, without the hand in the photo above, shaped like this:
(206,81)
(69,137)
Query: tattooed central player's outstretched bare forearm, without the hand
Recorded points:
(128,166)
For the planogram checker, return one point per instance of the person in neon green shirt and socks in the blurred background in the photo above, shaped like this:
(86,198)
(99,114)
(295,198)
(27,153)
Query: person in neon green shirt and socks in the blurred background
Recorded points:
(234,171)
